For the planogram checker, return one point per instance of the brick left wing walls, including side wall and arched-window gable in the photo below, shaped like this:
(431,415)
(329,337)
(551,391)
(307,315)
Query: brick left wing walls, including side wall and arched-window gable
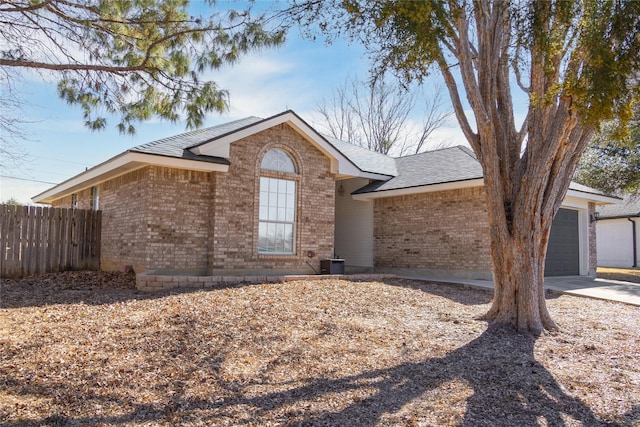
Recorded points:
(175,220)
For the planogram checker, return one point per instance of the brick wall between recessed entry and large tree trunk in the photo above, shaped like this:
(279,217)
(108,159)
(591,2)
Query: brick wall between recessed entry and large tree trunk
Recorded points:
(446,230)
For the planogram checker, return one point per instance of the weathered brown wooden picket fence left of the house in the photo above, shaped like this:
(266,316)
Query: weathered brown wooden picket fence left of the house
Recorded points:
(40,239)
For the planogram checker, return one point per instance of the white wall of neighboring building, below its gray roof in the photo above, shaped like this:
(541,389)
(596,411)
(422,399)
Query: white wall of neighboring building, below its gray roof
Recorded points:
(615,246)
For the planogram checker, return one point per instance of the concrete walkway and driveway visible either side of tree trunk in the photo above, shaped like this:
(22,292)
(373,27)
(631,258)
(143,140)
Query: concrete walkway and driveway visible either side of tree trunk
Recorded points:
(612,290)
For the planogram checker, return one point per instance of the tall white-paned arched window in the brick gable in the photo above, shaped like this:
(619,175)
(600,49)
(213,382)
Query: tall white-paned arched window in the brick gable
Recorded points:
(277,216)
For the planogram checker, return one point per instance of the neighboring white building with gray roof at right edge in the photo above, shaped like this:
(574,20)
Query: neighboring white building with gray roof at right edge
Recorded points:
(618,233)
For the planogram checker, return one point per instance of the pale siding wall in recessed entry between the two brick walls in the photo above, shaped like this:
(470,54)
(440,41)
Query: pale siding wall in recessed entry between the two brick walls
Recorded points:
(354,225)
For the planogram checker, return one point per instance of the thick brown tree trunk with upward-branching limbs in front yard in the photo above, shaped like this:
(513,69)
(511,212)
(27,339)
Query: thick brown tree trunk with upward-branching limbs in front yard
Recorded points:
(527,171)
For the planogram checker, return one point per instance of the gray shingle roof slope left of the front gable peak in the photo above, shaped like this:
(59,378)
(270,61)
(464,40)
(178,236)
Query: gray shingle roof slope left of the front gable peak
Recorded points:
(178,145)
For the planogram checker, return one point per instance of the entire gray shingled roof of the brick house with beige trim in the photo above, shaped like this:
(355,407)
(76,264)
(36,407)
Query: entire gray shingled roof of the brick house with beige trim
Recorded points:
(454,166)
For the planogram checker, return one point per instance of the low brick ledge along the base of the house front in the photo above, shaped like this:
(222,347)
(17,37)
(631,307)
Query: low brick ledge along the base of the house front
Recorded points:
(152,283)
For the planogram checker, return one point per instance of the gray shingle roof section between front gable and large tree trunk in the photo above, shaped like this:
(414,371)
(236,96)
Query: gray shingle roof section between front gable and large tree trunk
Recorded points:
(432,167)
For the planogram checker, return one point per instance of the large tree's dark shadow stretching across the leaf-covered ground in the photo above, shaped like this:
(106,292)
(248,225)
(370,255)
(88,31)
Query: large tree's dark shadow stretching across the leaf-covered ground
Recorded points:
(507,387)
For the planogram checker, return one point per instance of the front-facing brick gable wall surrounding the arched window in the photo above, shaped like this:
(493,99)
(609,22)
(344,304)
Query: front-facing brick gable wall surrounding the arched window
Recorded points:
(236,206)
